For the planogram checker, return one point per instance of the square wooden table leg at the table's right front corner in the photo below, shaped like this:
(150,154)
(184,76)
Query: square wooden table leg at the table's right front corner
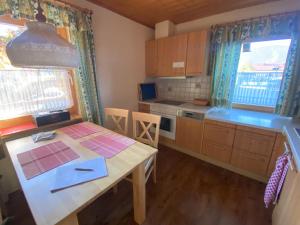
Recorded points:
(139,193)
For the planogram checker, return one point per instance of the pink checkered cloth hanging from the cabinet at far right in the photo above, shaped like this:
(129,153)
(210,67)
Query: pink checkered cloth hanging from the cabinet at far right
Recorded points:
(276,180)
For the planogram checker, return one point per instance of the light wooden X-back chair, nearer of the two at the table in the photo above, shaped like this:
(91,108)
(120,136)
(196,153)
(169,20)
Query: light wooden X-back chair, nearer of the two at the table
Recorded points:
(146,130)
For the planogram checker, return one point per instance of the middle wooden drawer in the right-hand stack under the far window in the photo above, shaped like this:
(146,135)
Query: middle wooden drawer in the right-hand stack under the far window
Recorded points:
(254,143)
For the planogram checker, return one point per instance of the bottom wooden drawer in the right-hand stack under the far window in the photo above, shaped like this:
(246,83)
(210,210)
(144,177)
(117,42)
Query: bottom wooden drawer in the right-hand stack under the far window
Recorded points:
(249,161)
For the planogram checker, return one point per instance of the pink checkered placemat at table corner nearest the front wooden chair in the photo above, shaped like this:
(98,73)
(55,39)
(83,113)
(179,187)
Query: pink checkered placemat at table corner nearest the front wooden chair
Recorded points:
(108,144)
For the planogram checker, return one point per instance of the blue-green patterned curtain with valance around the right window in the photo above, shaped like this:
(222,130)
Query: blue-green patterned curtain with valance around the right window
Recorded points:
(225,50)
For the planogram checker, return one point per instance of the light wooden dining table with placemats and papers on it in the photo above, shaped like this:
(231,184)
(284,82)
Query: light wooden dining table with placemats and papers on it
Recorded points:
(62,207)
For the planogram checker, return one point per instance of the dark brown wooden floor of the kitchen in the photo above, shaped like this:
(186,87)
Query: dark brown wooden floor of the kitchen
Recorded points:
(188,192)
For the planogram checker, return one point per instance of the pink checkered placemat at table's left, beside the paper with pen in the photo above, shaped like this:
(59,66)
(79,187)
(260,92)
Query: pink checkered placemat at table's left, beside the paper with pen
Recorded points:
(45,158)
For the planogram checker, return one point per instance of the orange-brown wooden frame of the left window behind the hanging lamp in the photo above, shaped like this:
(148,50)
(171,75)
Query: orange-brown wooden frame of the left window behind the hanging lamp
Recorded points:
(74,110)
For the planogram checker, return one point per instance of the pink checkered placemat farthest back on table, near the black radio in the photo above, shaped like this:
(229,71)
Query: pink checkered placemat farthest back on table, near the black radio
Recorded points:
(80,130)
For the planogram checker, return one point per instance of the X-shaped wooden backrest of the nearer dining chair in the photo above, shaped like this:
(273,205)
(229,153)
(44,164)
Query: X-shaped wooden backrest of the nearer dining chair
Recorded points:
(142,123)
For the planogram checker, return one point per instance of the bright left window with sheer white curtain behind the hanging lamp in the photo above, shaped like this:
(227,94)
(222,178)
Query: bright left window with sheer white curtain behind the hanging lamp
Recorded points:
(29,91)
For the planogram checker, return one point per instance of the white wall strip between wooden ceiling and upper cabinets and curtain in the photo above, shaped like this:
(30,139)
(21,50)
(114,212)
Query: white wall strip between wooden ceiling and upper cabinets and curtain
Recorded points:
(239,14)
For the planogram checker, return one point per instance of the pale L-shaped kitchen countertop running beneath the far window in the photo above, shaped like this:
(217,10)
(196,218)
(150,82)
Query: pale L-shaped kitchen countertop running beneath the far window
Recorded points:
(268,121)
